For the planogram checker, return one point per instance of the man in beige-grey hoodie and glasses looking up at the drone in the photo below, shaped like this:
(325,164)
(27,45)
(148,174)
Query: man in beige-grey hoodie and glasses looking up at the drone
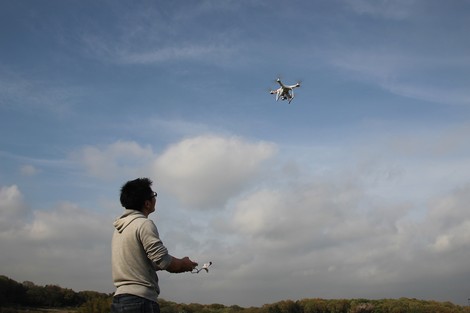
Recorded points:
(138,252)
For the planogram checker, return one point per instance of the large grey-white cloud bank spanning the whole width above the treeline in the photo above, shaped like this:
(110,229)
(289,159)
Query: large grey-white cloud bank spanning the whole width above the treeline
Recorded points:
(321,236)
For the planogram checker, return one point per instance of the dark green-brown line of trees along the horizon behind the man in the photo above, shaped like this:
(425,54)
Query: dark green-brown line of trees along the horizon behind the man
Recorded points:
(26,297)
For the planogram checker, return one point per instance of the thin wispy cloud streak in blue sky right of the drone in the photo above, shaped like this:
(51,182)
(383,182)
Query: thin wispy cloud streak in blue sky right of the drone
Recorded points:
(401,71)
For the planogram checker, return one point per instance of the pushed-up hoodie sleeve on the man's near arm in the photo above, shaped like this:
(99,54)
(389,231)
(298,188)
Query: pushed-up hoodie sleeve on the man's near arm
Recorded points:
(153,245)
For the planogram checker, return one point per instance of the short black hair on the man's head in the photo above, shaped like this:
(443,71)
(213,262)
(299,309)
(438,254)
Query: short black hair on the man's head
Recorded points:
(135,192)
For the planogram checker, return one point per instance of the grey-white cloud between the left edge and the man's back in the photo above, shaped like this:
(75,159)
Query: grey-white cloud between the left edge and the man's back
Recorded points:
(66,244)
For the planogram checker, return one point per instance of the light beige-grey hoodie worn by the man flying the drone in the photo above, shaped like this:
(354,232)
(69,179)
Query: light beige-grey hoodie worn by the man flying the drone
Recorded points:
(137,253)
